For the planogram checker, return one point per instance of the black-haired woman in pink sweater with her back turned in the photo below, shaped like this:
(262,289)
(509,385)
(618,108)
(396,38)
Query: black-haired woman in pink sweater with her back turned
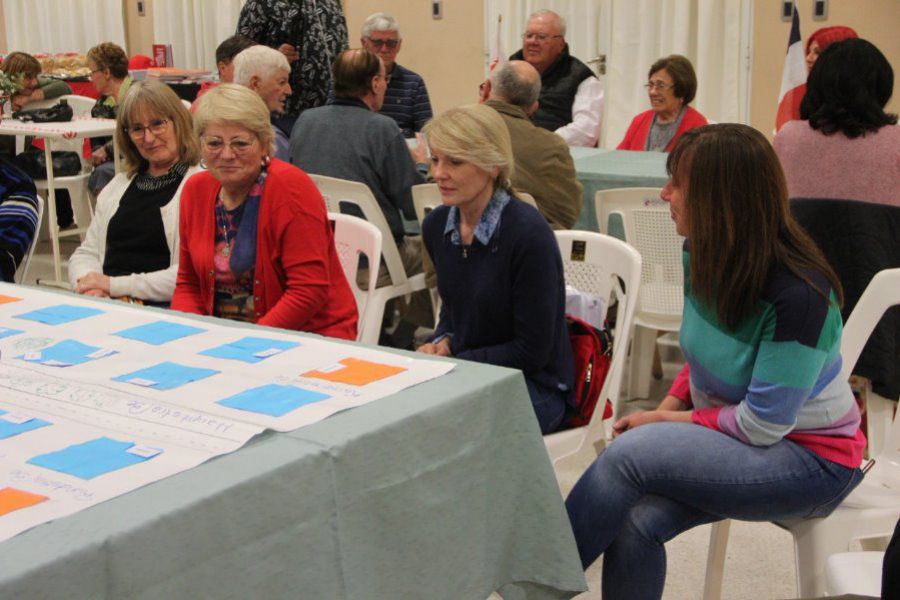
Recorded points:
(846,146)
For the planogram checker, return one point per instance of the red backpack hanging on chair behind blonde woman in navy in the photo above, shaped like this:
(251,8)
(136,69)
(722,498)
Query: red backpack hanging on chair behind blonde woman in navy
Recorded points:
(592,350)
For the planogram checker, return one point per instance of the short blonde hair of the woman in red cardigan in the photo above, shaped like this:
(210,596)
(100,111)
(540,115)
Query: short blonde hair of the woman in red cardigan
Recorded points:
(236,105)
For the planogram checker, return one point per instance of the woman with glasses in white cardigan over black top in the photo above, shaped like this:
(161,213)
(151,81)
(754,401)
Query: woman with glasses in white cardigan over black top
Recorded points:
(131,247)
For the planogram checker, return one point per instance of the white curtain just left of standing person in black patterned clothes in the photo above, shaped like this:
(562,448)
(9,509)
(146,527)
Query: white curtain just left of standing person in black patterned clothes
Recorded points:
(194,28)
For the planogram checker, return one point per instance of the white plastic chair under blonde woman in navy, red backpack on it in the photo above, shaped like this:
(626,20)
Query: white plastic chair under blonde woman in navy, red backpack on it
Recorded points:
(598,264)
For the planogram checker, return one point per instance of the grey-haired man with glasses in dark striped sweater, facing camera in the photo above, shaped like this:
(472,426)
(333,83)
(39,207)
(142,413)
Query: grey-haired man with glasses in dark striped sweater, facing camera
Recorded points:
(406,99)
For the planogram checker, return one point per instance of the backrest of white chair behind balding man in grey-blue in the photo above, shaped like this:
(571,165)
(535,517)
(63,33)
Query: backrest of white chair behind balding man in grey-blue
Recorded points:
(340,191)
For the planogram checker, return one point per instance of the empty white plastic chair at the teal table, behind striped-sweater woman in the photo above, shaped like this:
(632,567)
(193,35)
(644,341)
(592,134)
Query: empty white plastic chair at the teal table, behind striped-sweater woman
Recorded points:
(648,226)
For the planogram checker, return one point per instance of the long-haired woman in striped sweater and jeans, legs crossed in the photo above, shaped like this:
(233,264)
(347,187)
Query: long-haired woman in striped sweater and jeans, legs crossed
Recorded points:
(759,425)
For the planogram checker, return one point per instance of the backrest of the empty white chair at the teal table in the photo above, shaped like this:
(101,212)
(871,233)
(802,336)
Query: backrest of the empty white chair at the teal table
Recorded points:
(647,225)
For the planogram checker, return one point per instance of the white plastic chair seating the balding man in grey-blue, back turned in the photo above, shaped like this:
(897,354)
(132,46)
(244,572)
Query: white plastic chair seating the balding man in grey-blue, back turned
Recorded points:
(337,191)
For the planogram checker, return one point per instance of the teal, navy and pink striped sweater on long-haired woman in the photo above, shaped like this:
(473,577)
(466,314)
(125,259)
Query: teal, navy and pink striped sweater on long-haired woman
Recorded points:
(778,375)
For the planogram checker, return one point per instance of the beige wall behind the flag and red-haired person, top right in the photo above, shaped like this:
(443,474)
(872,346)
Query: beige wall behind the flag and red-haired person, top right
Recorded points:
(875,20)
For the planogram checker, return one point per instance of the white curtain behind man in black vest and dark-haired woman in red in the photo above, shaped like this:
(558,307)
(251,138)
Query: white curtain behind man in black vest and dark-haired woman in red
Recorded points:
(713,34)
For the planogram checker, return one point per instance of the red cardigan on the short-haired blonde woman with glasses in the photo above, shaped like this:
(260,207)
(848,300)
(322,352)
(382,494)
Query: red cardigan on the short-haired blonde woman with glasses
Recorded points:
(299,283)
